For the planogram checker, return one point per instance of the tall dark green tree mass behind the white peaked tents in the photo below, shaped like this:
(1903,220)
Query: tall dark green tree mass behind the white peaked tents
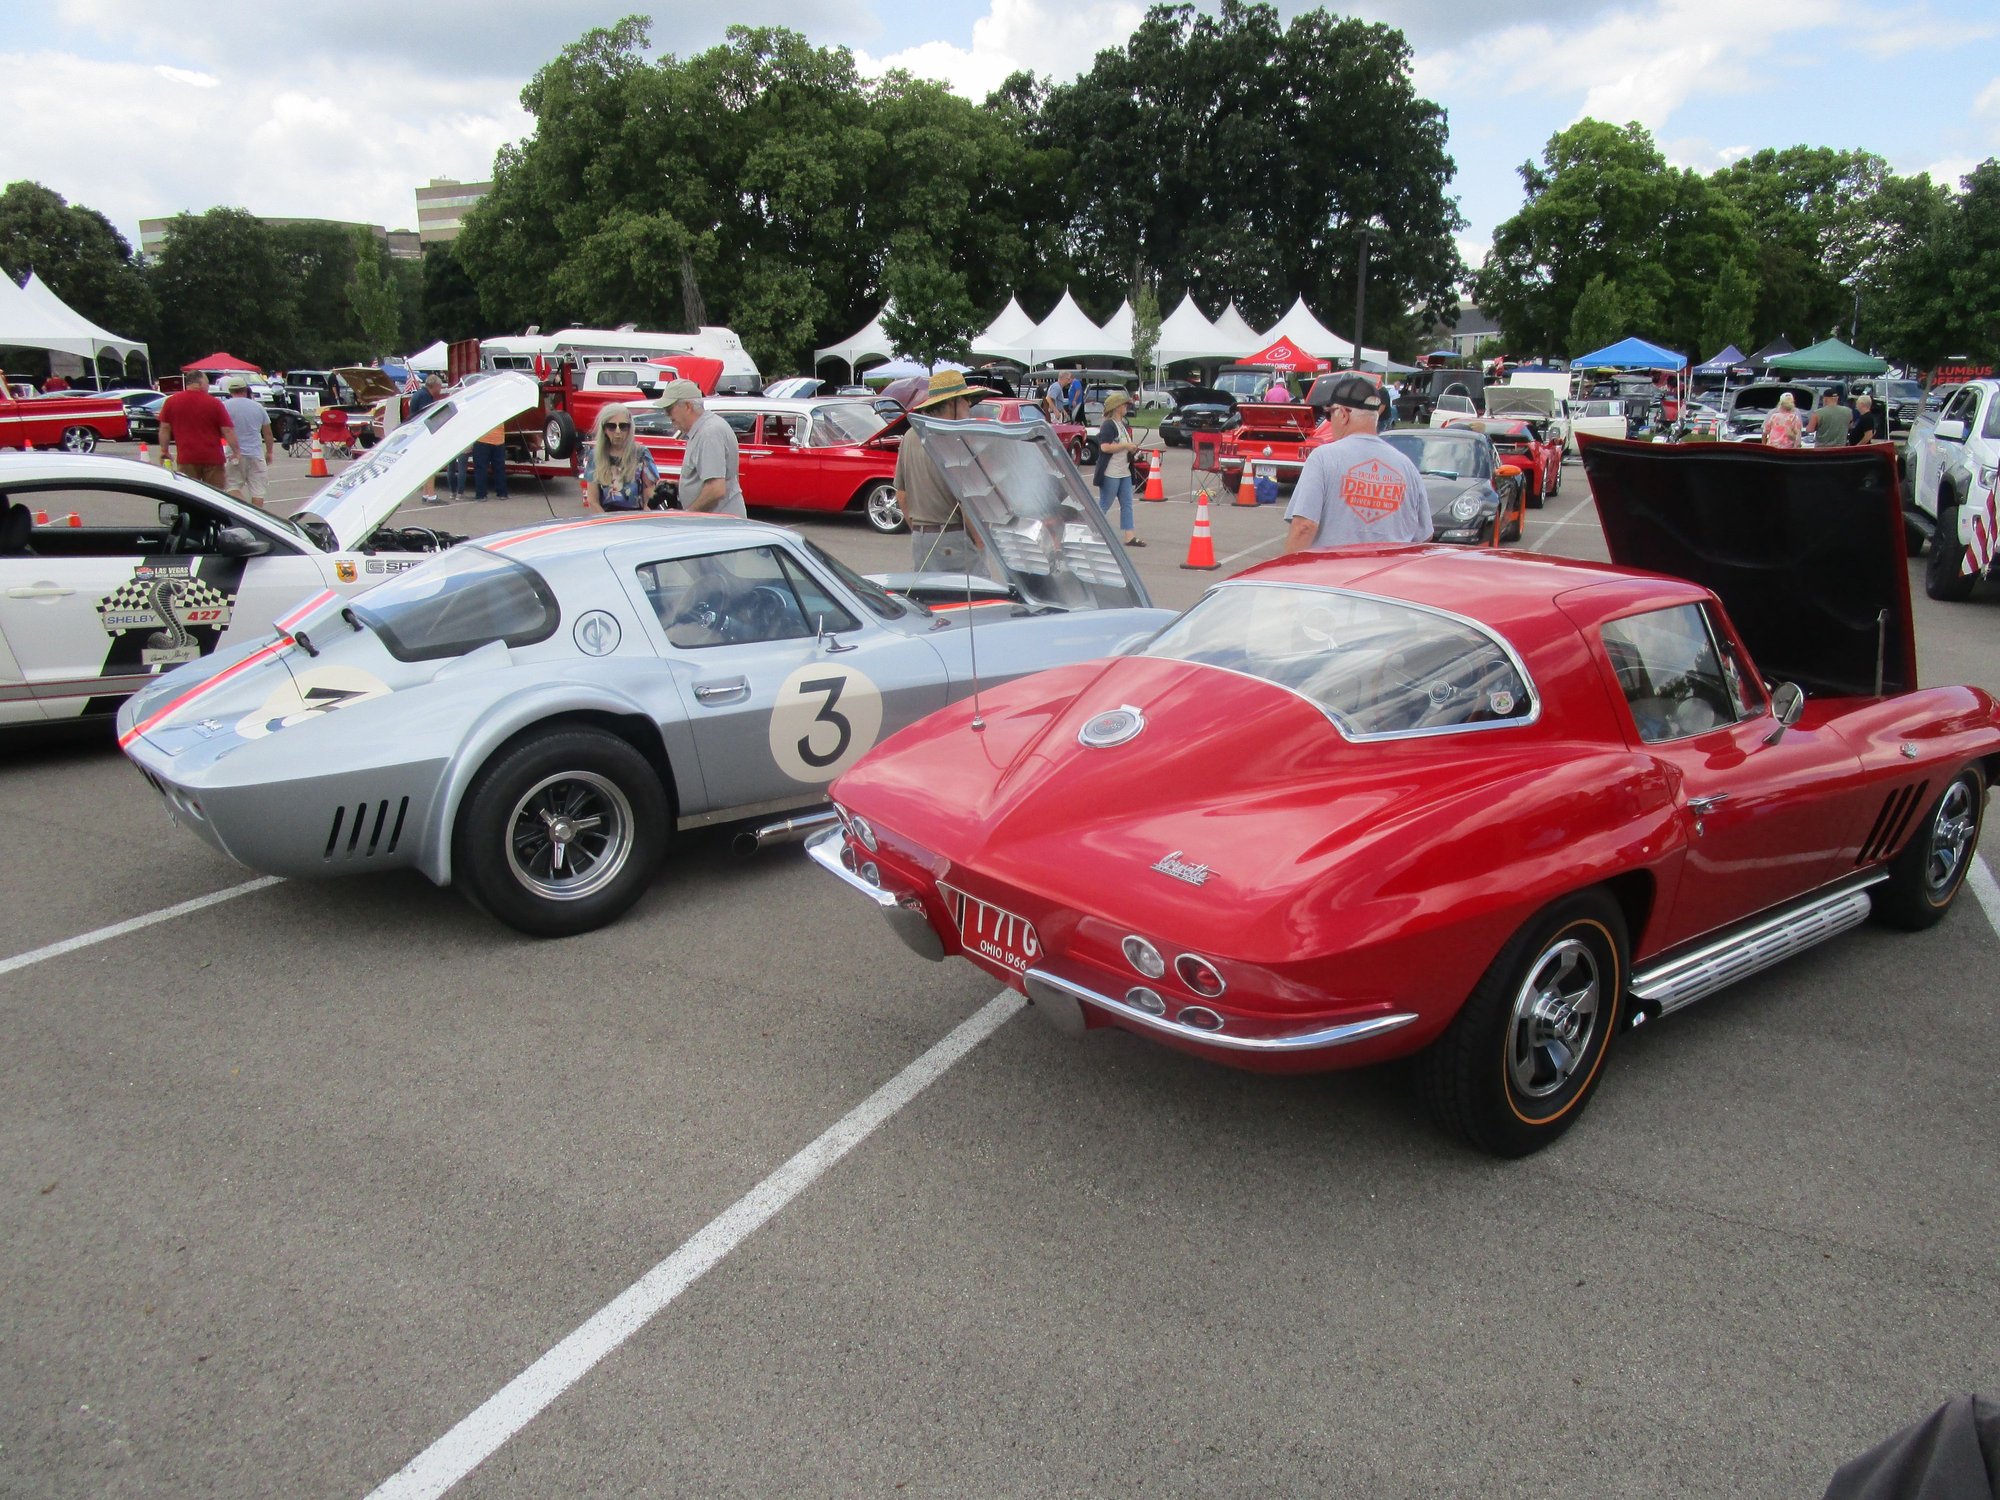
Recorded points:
(1241,157)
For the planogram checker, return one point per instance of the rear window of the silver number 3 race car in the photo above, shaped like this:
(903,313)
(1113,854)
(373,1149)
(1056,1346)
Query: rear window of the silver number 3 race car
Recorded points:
(459,603)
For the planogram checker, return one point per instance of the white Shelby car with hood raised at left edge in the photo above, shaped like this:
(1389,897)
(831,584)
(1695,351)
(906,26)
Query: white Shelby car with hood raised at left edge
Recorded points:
(113,571)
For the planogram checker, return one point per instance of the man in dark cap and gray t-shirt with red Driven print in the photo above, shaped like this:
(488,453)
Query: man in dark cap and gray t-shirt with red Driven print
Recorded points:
(1357,489)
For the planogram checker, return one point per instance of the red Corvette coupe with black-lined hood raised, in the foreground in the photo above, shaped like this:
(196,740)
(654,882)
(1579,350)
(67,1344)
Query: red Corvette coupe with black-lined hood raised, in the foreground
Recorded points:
(1481,807)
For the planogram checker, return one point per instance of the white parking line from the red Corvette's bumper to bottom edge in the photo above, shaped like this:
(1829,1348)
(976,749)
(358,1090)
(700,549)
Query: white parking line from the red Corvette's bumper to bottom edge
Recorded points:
(527,1395)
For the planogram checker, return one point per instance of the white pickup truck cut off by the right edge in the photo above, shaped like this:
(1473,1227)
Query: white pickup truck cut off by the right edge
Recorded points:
(1953,465)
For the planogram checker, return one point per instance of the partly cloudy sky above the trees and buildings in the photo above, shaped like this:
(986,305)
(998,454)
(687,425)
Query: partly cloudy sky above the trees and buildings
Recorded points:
(143,109)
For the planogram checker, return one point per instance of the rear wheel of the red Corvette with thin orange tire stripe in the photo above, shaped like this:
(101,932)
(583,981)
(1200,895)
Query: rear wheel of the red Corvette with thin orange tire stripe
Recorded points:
(1525,1053)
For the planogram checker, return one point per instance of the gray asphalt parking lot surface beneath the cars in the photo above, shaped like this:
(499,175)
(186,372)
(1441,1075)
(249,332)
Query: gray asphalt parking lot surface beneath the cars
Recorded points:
(299,1183)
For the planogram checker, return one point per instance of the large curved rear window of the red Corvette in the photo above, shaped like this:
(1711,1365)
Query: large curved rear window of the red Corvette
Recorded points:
(1375,667)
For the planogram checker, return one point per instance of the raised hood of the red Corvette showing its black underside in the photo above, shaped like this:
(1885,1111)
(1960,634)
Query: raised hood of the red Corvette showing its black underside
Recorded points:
(1805,549)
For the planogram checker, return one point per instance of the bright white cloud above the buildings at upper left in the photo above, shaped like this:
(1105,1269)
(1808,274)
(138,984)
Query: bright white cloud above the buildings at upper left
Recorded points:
(309,141)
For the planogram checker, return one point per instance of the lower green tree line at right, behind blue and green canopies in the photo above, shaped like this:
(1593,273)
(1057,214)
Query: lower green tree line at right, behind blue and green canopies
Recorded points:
(1805,243)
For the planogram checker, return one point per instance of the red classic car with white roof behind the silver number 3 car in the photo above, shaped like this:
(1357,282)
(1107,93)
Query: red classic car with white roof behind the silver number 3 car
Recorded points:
(807,455)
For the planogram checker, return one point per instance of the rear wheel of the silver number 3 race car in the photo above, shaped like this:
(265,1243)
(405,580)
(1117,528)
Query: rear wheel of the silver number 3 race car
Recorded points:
(513,869)
